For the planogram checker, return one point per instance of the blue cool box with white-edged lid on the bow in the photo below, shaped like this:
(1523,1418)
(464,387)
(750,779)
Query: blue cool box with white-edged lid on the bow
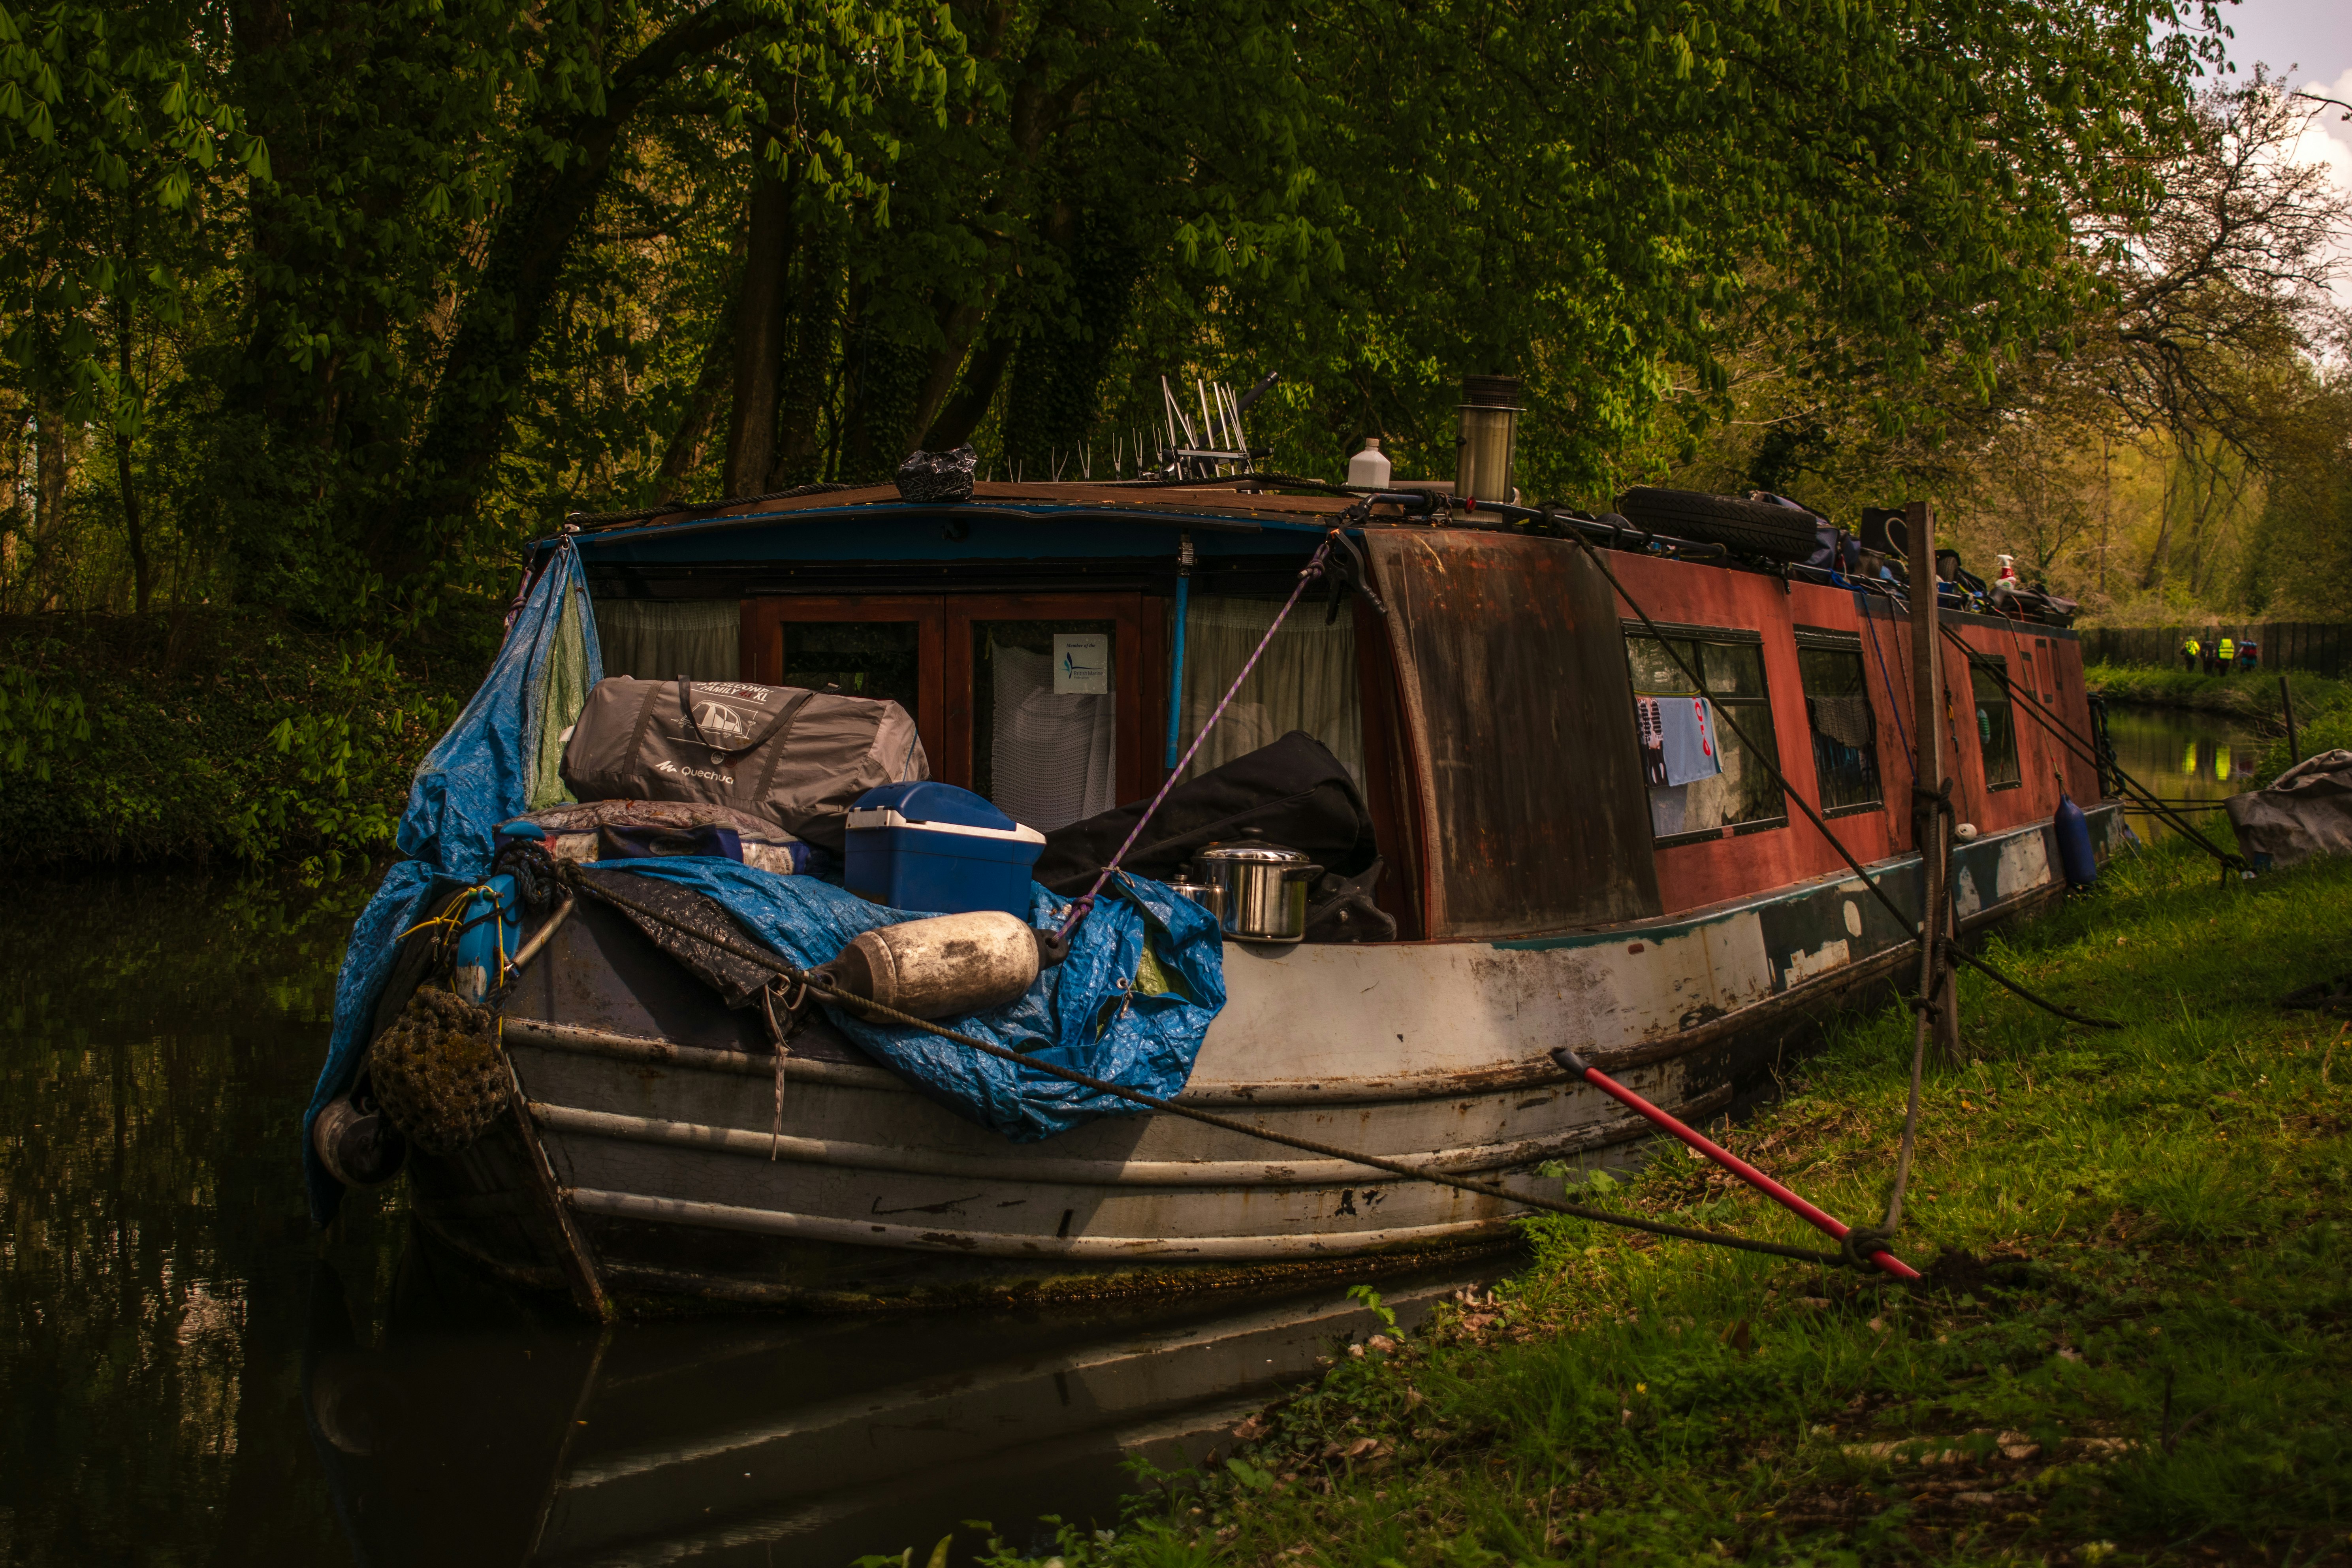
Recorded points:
(940,850)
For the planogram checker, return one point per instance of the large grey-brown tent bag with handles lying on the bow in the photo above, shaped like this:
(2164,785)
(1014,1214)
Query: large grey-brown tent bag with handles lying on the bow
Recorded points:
(789,756)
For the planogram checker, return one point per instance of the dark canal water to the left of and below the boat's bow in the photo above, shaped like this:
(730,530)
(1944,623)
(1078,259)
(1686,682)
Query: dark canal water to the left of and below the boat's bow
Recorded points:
(192,1376)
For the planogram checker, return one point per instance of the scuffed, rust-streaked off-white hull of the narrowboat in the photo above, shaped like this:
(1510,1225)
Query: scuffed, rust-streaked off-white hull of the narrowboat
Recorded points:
(657,1108)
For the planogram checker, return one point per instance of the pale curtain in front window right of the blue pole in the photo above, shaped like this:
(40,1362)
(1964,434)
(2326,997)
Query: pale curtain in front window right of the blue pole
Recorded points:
(1307,681)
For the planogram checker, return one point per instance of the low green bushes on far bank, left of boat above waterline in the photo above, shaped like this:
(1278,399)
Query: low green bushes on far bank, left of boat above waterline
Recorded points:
(218,737)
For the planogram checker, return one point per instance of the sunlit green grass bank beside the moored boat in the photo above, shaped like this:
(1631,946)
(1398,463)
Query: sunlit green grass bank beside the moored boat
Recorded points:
(2132,1343)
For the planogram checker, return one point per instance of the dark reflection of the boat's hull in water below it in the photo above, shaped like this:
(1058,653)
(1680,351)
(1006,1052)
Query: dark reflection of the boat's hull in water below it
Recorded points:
(474,1438)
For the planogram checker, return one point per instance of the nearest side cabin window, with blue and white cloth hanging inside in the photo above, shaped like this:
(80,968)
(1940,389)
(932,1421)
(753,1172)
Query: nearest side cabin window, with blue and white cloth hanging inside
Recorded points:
(1702,777)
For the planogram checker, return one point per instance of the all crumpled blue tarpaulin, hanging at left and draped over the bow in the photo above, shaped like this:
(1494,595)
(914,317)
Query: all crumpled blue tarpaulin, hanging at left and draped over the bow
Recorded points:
(497,763)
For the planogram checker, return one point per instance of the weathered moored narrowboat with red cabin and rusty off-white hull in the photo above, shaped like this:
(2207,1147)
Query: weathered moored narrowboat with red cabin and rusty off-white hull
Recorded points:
(1551,873)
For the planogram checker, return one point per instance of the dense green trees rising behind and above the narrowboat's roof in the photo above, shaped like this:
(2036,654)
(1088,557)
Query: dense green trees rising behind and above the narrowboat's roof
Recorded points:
(340,309)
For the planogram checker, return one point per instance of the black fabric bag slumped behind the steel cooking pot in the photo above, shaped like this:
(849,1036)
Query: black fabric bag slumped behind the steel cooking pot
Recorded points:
(1290,793)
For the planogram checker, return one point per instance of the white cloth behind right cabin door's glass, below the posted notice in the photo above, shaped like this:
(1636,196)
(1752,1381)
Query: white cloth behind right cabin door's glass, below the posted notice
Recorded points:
(1053,758)
